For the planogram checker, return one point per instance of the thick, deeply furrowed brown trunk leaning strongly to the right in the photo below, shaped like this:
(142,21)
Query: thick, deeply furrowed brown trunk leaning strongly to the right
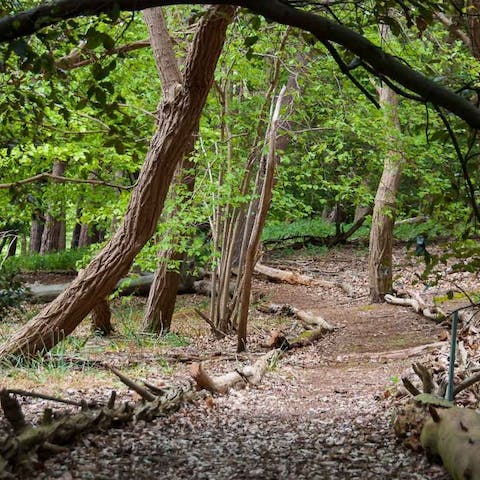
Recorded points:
(177,120)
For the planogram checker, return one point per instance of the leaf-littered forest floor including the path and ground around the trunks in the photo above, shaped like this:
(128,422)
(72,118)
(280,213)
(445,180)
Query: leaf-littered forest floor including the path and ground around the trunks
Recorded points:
(323,412)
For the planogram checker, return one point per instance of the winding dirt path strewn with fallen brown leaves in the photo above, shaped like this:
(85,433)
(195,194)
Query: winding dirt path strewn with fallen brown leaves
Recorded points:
(318,416)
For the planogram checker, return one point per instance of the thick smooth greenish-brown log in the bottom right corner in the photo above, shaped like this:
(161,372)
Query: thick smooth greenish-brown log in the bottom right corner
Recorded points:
(453,436)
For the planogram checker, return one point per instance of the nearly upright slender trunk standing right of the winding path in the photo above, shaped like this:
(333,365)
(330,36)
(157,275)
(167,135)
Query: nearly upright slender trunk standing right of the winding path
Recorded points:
(383,217)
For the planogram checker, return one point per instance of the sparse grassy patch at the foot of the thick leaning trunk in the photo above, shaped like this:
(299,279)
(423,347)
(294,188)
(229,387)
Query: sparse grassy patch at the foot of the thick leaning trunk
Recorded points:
(61,368)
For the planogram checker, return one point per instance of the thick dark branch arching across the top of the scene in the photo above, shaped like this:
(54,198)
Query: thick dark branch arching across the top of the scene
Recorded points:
(324,29)
